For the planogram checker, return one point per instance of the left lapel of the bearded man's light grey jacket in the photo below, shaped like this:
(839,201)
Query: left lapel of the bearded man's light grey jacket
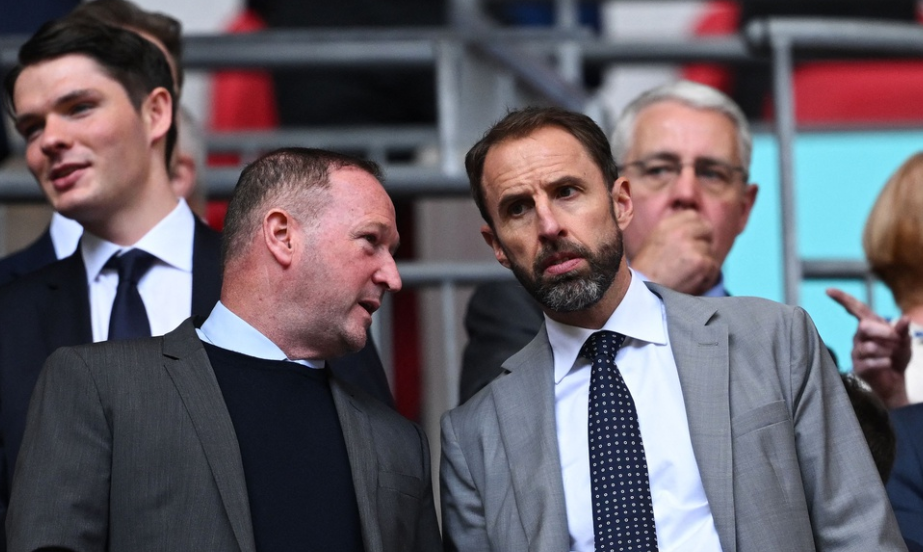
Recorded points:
(524,401)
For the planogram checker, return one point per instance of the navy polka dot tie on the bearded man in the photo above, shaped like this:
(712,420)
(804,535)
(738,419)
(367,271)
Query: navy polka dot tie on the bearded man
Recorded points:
(623,516)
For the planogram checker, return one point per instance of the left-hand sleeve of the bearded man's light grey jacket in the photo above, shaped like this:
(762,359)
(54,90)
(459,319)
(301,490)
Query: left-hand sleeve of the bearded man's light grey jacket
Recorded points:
(464,525)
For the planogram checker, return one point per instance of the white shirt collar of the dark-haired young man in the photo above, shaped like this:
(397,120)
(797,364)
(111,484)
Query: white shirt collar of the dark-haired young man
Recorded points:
(167,241)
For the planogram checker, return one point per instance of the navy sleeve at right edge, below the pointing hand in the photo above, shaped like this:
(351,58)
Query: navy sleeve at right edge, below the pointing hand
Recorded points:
(905,487)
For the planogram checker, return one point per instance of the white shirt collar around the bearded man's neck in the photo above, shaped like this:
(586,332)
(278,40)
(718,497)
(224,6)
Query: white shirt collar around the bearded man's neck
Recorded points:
(640,316)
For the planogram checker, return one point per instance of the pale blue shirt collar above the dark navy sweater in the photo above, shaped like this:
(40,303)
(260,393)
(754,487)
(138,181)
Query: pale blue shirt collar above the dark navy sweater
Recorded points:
(225,329)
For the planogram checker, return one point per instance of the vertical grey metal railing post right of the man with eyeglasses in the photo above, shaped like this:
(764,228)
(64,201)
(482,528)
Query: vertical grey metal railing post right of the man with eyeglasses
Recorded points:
(785,132)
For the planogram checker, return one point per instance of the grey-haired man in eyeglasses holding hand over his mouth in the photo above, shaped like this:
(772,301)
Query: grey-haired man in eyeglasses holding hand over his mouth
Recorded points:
(685,149)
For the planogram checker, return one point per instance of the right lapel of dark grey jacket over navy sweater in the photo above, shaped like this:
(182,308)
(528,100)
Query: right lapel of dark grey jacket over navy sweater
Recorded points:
(357,433)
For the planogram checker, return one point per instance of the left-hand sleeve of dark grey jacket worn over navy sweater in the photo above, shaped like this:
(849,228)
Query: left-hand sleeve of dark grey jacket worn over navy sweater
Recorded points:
(60,492)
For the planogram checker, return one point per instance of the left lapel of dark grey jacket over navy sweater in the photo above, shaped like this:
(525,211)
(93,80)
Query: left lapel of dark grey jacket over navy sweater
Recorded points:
(187,364)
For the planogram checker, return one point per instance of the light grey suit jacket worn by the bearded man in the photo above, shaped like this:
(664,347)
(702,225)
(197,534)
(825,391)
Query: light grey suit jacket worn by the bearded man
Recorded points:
(782,460)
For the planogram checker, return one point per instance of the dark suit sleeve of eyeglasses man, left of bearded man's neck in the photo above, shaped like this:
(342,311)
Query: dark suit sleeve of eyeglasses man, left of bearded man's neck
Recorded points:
(501,319)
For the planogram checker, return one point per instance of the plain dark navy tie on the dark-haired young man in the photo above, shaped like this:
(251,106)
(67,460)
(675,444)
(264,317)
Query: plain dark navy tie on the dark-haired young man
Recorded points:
(129,317)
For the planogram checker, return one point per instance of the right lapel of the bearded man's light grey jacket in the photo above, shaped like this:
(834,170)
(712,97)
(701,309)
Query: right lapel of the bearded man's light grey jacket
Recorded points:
(700,349)
